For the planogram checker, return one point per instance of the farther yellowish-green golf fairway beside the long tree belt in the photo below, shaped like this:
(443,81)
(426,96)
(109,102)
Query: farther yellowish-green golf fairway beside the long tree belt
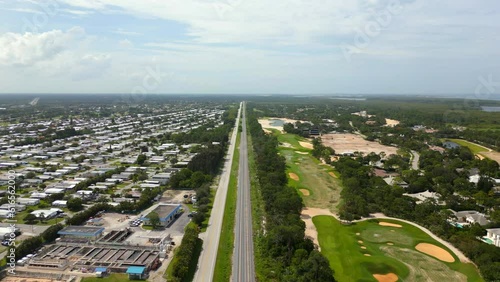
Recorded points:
(324,189)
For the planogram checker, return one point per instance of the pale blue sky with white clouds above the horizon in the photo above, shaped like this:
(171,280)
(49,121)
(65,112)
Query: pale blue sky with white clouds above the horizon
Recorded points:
(250,46)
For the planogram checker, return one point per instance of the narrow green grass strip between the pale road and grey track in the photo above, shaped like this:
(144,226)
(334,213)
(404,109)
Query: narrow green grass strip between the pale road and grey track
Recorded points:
(223,262)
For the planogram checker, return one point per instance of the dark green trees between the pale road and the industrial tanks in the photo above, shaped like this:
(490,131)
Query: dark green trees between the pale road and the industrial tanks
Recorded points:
(185,254)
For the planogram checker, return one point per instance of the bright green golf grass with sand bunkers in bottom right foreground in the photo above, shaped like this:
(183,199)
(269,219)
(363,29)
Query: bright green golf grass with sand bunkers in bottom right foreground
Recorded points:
(390,250)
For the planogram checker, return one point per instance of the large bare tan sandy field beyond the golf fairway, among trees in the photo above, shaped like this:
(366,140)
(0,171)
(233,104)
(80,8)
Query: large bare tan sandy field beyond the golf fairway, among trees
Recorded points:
(350,143)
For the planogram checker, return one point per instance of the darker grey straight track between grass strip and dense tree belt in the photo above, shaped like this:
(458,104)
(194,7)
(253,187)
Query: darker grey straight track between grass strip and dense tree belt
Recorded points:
(243,261)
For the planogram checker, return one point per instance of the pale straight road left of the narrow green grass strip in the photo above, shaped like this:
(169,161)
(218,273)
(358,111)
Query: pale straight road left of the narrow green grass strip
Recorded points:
(211,238)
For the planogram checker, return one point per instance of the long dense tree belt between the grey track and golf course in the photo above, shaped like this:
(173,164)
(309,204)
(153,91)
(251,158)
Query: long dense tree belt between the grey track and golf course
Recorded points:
(285,253)
